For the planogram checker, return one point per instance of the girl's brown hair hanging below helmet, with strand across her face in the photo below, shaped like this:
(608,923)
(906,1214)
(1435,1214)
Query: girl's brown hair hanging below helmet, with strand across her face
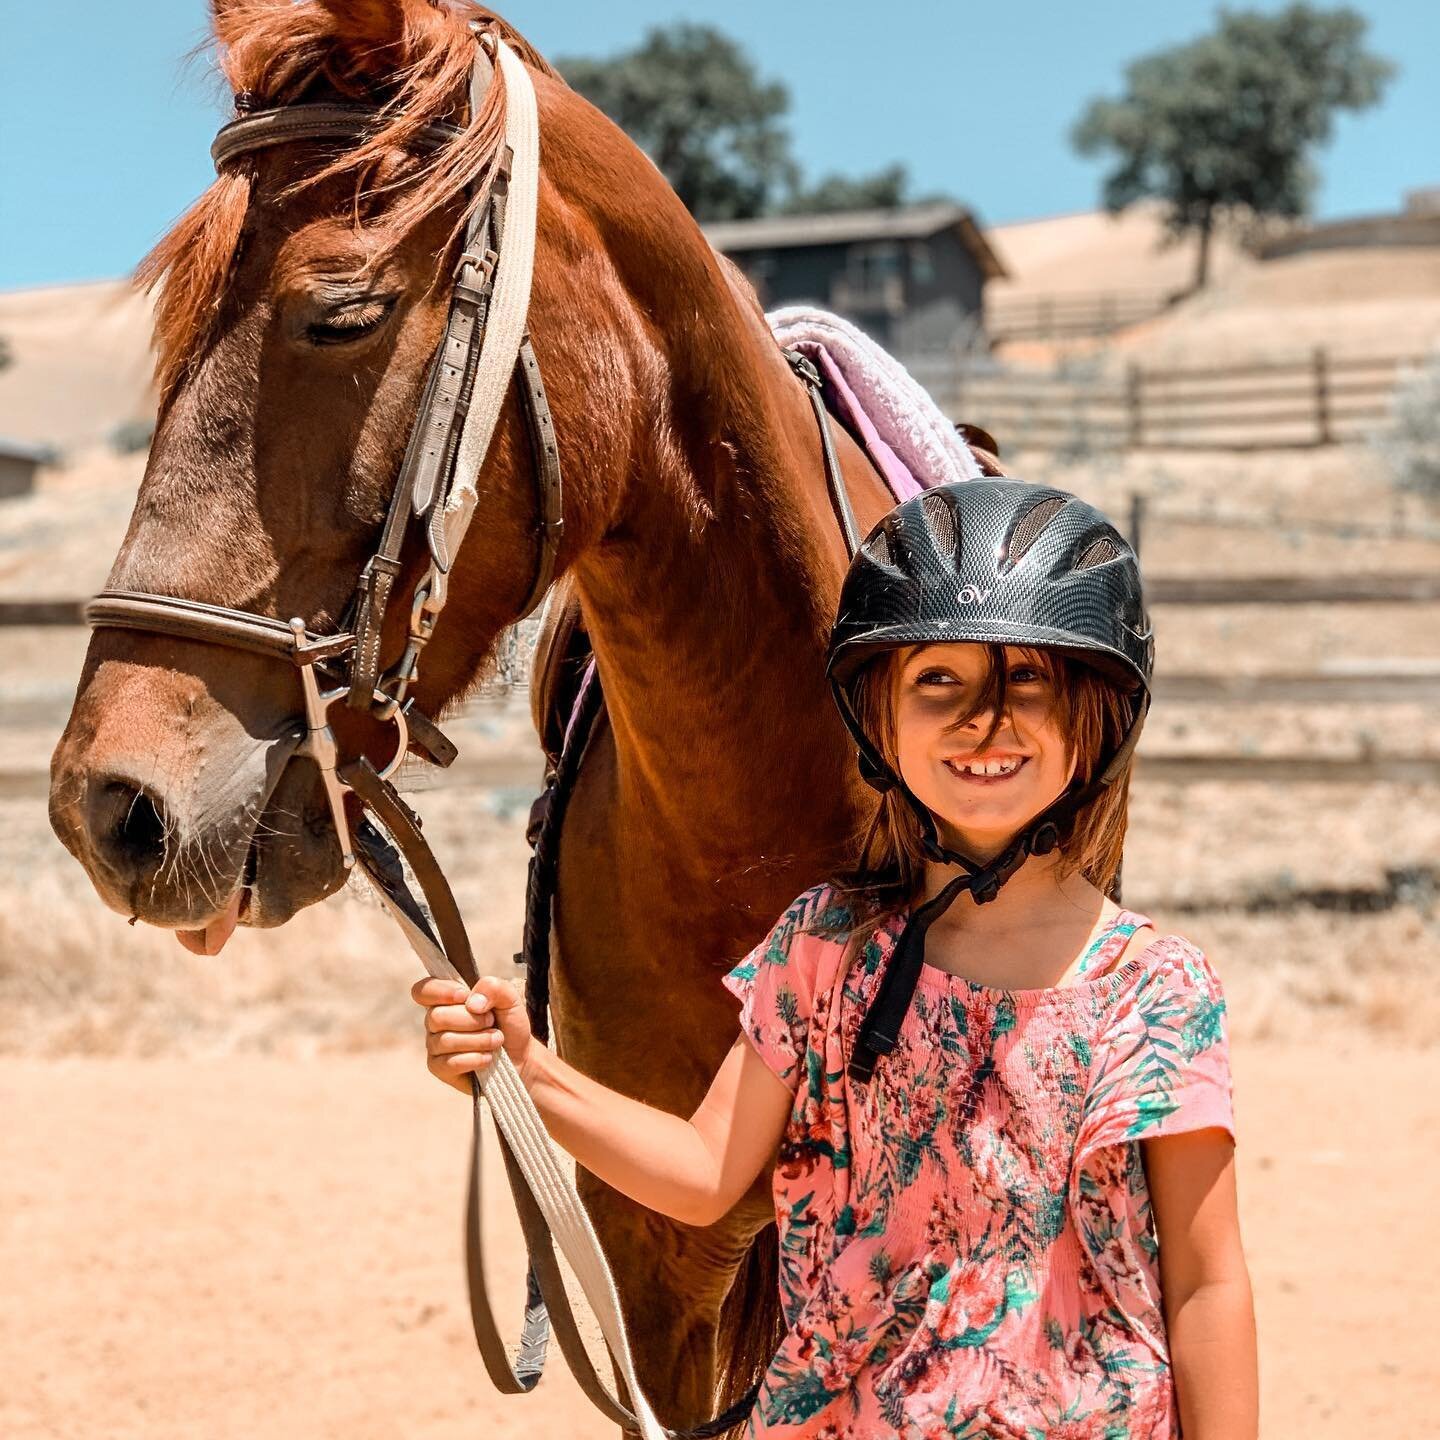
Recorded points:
(1094,715)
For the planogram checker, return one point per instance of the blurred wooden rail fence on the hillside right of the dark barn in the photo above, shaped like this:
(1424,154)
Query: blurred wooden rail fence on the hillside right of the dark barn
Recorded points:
(1275,405)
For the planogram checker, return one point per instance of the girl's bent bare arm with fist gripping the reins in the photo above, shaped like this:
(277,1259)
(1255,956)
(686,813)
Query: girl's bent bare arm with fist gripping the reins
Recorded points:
(693,1171)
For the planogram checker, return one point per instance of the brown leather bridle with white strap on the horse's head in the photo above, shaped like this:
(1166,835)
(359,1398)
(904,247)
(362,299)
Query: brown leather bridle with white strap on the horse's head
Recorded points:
(483,348)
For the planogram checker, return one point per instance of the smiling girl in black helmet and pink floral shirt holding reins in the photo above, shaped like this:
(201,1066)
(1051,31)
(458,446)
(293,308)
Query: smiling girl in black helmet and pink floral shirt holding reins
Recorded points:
(996,1105)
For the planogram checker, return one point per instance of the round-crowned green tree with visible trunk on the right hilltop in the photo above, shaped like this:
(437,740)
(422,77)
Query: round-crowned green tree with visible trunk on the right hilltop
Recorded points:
(1229,122)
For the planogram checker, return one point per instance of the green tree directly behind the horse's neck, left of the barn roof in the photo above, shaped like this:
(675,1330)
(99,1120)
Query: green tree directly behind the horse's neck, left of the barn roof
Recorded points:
(692,99)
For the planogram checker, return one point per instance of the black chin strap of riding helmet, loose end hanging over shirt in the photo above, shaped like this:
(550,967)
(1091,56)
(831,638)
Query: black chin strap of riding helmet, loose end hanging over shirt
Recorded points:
(881,1030)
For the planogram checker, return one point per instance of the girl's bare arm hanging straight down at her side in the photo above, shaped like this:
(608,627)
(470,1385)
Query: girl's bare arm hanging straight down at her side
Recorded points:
(1209,1310)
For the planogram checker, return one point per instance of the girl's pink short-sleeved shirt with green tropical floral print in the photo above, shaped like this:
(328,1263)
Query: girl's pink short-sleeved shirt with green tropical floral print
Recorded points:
(967,1243)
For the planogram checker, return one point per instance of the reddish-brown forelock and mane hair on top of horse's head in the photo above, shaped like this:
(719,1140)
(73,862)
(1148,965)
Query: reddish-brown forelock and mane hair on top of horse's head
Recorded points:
(408,58)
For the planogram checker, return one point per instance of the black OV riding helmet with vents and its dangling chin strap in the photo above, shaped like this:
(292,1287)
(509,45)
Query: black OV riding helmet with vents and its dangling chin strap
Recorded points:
(994,562)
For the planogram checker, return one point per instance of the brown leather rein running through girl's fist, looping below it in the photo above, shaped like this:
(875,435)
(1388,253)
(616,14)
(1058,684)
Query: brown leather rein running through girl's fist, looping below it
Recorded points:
(441,942)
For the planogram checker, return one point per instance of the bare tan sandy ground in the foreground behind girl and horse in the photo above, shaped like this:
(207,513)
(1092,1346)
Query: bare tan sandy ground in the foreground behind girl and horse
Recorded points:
(267,1248)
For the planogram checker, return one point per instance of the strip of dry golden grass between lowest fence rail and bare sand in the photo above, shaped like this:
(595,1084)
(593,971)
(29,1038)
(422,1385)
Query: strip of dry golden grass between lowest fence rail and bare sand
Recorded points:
(76,980)
